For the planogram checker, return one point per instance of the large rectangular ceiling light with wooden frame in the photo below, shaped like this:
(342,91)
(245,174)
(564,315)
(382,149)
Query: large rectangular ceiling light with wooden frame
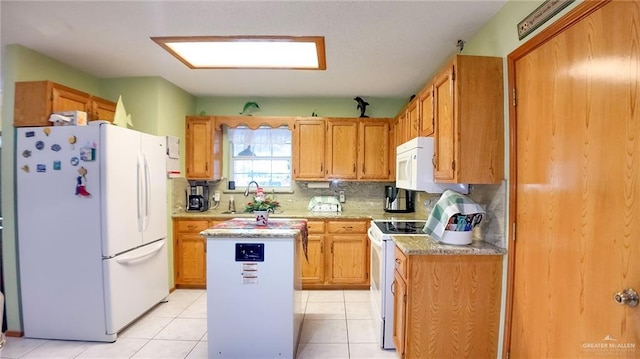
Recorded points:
(247,52)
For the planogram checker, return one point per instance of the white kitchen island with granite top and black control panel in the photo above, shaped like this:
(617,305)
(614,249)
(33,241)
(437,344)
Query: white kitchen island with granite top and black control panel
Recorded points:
(254,298)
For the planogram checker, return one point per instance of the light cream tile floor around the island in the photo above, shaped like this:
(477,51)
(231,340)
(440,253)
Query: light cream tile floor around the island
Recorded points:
(337,324)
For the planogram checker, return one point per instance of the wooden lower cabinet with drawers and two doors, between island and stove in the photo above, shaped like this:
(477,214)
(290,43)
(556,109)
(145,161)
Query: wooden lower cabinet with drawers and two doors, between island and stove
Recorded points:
(338,253)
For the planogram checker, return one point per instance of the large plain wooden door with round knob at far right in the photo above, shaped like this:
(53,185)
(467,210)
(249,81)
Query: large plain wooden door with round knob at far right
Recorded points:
(575,160)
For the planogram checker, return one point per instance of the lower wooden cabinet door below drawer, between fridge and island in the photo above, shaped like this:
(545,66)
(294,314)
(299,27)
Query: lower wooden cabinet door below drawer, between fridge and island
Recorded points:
(190,259)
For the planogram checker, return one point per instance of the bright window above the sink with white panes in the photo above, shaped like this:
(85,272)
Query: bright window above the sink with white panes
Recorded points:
(262,155)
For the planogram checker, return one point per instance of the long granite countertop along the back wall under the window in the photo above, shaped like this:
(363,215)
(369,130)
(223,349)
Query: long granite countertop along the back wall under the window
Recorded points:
(305,214)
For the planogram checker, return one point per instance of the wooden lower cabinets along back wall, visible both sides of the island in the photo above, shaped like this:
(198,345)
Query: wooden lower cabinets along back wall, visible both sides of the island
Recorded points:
(338,253)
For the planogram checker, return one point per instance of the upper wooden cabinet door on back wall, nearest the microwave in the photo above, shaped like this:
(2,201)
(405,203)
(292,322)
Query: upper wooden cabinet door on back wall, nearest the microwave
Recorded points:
(373,150)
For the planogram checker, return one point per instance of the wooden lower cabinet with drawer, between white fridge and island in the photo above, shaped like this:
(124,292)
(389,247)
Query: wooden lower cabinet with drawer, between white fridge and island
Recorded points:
(190,252)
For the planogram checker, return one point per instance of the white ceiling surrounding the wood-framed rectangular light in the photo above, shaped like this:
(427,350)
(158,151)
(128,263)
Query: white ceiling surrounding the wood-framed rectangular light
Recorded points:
(374,48)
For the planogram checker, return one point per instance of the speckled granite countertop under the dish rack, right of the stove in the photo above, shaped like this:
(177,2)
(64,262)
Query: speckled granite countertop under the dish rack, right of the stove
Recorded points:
(425,245)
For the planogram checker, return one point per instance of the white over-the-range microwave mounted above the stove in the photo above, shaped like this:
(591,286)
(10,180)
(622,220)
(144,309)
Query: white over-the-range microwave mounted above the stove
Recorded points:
(414,168)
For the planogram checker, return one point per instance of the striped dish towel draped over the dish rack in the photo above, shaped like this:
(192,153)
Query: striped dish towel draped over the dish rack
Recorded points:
(449,204)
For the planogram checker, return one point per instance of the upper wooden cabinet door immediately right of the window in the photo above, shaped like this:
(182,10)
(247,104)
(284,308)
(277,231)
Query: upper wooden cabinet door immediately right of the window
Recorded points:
(308,149)
